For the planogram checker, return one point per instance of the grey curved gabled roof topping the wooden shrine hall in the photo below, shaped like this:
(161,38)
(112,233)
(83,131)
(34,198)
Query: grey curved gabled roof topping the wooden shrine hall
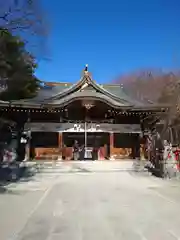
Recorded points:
(61,94)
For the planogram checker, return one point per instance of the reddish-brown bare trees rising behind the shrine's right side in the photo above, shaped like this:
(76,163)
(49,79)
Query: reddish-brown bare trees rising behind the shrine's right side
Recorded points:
(160,88)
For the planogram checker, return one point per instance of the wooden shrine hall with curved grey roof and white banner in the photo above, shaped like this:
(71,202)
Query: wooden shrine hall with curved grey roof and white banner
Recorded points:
(88,112)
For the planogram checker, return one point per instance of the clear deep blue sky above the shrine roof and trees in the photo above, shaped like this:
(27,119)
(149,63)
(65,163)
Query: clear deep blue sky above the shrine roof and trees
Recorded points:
(113,37)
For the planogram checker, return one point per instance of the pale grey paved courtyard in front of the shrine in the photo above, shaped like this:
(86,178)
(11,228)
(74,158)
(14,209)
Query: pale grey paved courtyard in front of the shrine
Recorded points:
(90,201)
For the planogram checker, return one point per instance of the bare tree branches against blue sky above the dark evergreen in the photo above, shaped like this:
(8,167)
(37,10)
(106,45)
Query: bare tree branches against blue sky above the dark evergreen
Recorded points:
(26,19)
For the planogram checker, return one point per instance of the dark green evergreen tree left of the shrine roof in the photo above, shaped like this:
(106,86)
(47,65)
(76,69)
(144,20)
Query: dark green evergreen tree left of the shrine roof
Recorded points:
(17,68)
